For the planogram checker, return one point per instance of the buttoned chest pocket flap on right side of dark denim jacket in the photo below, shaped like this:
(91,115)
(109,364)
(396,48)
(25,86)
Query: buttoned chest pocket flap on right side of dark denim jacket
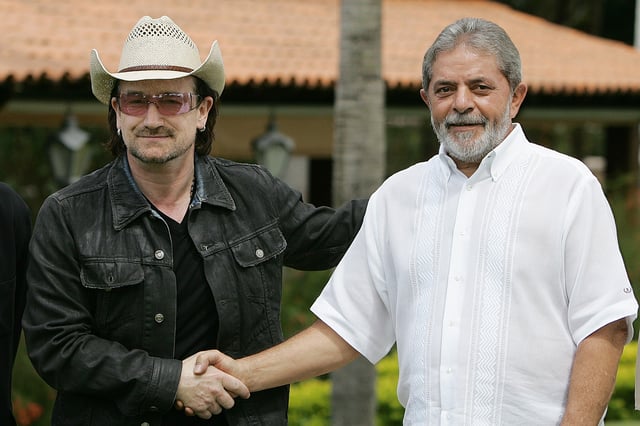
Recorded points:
(256,248)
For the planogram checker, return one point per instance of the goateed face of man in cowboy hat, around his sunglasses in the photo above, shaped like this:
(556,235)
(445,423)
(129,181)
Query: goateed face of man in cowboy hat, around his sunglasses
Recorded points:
(154,138)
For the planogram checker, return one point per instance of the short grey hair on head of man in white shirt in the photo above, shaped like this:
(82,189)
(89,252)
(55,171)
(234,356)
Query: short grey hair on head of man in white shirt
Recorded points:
(480,35)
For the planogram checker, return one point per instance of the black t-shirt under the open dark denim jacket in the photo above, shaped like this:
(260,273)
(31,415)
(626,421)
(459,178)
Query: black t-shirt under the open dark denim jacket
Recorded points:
(197,317)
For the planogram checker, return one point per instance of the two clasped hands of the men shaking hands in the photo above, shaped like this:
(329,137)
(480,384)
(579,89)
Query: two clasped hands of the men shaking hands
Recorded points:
(205,387)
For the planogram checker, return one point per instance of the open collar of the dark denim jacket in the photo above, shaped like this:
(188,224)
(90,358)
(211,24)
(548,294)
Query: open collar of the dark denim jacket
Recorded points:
(128,202)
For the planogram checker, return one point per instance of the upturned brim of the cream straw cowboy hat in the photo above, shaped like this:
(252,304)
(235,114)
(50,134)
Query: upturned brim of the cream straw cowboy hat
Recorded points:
(211,71)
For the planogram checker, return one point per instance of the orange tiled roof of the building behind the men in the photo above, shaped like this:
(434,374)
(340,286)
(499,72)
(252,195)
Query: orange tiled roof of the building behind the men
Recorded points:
(295,41)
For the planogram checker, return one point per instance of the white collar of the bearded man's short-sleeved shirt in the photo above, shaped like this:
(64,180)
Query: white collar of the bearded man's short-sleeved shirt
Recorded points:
(496,161)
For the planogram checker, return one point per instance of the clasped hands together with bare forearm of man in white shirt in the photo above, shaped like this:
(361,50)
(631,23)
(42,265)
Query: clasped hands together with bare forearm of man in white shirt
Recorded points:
(211,380)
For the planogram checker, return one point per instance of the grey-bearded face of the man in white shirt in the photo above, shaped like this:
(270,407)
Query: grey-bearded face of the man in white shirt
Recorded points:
(471,103)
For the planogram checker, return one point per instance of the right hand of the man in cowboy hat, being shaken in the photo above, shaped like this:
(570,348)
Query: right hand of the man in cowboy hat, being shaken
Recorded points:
(208,392)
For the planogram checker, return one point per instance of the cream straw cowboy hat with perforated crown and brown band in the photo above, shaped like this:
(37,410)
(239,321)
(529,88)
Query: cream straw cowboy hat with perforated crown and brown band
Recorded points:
(157,49)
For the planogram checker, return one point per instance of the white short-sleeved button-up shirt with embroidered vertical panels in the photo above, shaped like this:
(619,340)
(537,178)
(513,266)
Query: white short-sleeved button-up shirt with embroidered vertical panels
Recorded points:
(487,284)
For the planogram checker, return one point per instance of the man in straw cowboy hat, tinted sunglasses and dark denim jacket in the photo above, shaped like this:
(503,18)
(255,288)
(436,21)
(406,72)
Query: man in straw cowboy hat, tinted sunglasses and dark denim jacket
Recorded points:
(166,251)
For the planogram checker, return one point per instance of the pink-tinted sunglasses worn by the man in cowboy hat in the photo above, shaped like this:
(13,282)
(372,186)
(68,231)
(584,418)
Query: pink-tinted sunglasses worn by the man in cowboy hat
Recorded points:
(137,104)
